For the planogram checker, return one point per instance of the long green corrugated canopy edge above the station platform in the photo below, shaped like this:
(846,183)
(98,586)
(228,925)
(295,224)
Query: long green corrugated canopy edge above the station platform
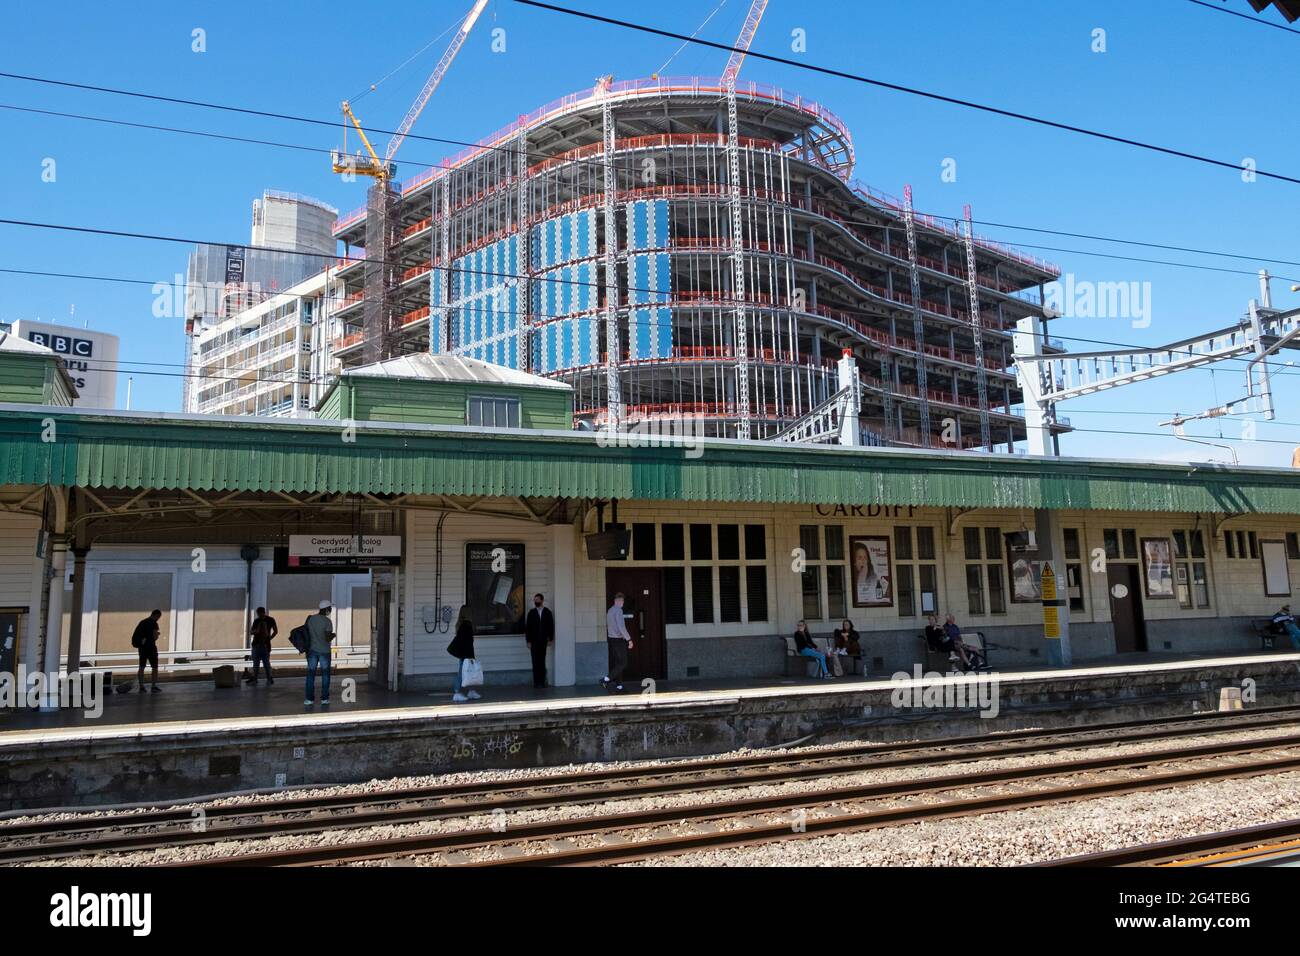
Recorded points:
(153,451)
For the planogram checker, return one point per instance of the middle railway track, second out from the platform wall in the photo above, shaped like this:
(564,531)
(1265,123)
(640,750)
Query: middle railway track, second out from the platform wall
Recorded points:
(634,837)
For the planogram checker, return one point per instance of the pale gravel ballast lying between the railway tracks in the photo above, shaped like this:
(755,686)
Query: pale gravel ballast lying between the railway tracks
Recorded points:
(1064,830)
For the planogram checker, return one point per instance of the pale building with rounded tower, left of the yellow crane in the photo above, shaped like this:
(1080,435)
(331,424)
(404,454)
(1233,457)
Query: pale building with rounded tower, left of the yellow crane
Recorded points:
(246,354)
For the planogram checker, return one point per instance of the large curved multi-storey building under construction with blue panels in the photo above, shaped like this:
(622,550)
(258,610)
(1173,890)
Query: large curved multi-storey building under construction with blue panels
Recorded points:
(613,213)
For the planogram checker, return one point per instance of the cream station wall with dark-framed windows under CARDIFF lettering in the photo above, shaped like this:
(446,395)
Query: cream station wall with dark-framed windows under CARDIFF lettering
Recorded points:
(1216,617)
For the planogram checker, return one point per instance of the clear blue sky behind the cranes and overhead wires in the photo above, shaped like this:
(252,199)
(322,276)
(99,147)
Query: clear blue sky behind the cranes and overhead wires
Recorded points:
(1173,73)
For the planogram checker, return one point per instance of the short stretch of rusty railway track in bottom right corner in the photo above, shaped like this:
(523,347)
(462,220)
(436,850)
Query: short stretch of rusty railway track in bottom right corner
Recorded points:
(1267,845)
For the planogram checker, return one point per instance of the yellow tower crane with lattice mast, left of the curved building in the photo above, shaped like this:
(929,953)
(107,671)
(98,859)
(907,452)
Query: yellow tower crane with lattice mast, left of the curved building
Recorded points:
(379,313)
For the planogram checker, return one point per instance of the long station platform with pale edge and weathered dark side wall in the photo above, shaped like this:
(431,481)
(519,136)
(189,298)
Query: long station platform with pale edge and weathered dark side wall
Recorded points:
(193,739)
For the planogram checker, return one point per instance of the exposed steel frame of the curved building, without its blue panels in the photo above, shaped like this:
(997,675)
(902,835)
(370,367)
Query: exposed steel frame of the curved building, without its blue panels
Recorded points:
(775,265)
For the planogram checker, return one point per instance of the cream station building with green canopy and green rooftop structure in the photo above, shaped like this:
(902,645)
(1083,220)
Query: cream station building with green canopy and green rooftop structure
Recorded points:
(469,485)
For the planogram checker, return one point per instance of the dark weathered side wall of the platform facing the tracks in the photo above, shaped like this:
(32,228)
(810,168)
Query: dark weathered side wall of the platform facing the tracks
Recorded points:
(141,764)
